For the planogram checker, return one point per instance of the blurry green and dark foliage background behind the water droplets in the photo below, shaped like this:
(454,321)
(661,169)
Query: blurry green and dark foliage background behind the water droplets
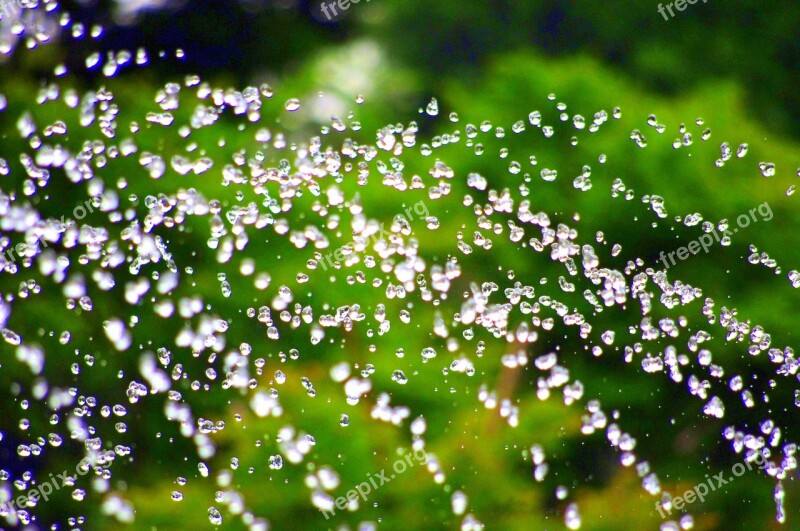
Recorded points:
(735,64)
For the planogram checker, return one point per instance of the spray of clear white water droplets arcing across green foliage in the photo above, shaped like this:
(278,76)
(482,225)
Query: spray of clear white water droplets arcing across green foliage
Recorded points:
(296,198)
